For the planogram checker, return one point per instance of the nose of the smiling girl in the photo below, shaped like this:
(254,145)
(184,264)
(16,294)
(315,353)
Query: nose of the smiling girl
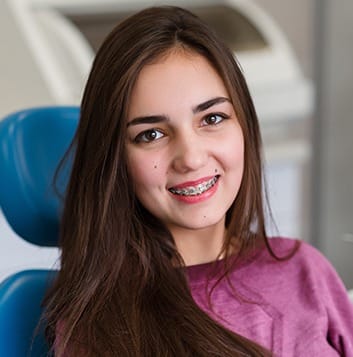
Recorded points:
(189,154)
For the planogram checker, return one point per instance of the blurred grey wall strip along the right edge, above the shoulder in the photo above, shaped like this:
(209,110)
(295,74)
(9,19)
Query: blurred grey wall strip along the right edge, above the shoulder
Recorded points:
(334,130)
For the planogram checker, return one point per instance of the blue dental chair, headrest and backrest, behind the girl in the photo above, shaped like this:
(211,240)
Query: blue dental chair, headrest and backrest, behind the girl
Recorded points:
(32,143)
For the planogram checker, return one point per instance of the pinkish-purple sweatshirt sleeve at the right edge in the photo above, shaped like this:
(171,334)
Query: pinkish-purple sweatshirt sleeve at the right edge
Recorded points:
(334,297)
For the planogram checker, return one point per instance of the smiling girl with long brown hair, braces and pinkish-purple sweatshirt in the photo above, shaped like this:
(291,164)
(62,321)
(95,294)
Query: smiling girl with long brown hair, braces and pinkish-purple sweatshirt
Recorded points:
(164,250)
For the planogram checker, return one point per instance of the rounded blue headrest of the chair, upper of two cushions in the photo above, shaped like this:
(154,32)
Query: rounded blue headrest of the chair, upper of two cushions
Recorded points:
(32,144)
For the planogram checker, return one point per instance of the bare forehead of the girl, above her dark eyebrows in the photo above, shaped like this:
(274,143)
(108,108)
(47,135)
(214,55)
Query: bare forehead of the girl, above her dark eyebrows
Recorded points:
(178,79)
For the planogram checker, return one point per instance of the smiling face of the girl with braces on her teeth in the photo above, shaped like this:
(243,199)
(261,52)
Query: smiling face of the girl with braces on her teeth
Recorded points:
(185,146)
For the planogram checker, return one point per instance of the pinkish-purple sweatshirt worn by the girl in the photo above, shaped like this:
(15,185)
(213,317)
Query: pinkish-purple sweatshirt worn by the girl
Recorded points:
(298,307)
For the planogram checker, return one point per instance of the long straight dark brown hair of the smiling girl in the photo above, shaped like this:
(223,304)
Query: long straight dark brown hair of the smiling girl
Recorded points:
(118,292)
